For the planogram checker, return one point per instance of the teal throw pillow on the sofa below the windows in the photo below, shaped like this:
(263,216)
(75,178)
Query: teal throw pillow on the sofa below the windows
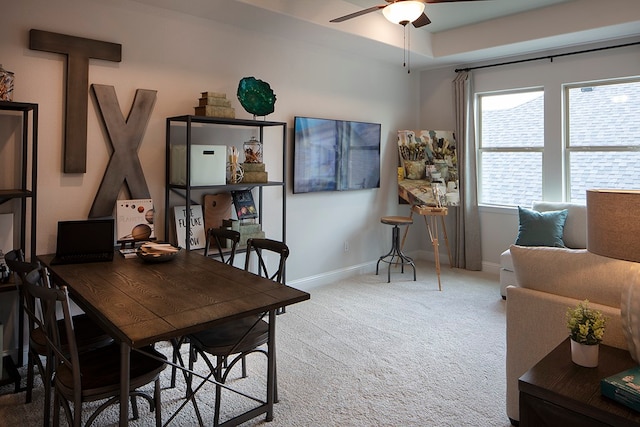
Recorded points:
(541,228)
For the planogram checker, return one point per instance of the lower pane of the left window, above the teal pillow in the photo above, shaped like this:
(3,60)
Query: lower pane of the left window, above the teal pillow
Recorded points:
(510,178)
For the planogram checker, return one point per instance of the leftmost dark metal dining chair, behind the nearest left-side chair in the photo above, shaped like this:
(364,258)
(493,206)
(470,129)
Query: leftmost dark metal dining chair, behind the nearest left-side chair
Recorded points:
(88,334)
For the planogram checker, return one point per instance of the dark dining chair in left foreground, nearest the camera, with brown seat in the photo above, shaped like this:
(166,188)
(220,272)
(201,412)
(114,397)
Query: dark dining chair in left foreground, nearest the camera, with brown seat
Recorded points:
(91,375)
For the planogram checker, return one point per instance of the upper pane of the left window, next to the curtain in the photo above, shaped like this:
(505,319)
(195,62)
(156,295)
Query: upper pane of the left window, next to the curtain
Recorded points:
(512,120)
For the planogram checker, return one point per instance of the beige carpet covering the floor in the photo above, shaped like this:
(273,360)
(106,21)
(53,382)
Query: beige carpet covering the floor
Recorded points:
(363,352)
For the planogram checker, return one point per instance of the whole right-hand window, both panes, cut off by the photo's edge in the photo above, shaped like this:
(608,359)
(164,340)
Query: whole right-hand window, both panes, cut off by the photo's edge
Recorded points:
(602,137)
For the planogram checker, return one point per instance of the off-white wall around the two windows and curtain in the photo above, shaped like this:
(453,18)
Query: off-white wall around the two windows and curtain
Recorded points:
(499,225)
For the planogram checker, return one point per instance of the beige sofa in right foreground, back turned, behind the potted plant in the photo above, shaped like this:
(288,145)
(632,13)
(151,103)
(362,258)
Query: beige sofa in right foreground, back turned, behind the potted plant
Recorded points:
(550,280)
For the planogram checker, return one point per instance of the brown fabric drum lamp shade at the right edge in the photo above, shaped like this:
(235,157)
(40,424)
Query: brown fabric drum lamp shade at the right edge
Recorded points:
(613,223)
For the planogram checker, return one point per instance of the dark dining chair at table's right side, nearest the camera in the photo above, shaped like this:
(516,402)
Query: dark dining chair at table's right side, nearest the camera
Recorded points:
(244,336)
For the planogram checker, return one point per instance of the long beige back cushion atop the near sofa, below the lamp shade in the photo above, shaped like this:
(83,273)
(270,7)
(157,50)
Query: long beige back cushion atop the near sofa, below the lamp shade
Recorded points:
(573,273)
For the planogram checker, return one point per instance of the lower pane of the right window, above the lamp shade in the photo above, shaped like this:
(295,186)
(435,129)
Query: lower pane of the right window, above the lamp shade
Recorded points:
(597,169)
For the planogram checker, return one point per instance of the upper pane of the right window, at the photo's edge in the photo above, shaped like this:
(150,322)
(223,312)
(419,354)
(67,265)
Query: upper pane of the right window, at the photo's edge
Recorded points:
(604,115)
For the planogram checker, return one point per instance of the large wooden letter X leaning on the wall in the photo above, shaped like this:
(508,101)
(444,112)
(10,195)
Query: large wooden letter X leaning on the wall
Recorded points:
(125,136)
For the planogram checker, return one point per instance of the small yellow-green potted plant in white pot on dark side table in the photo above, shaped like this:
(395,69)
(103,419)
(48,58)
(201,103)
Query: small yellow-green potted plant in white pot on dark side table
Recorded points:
(586,329)
